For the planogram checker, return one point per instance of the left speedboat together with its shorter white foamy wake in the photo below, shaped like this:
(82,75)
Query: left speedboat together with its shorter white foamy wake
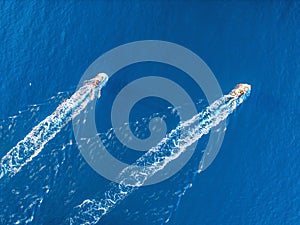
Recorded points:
(35,140)
